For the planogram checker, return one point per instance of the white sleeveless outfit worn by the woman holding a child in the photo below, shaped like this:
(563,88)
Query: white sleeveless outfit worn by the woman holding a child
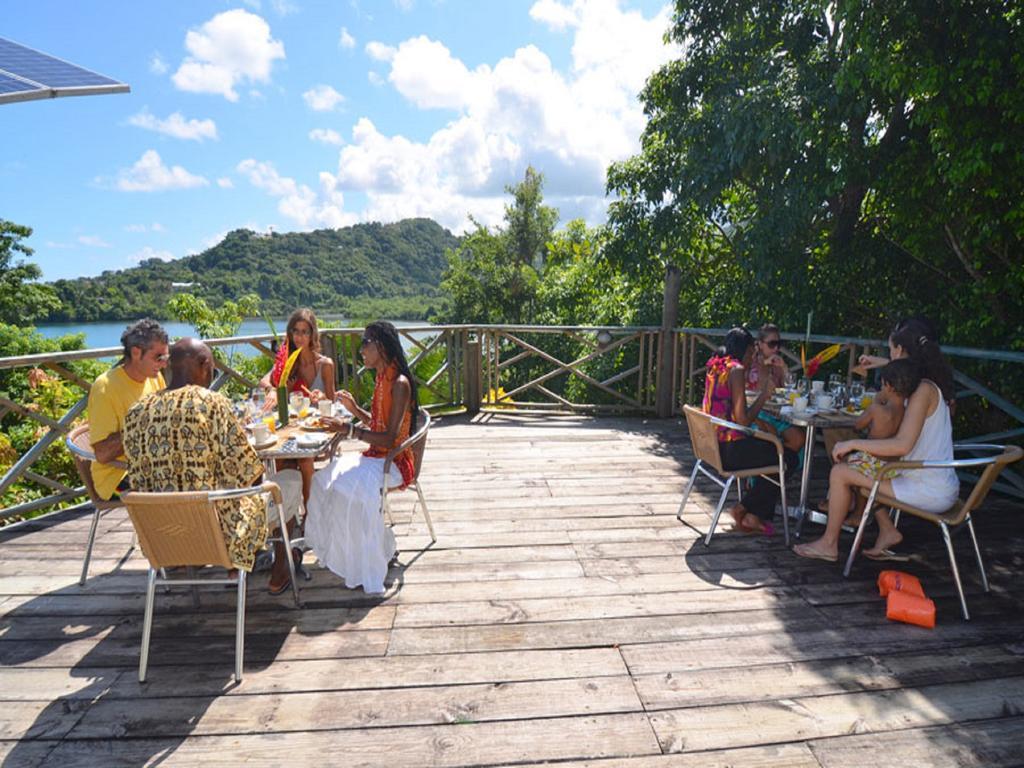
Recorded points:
(931,490)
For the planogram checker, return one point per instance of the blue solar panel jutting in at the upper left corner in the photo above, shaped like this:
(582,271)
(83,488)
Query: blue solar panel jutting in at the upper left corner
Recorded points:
(27,74)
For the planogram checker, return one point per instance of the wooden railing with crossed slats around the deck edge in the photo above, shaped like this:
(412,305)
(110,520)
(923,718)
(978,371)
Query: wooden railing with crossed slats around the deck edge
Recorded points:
(529,368)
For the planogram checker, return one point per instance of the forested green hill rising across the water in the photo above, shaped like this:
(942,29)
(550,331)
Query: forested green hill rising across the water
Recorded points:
(396,267)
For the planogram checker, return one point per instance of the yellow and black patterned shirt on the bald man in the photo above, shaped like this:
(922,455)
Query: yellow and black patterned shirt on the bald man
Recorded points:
(189,440)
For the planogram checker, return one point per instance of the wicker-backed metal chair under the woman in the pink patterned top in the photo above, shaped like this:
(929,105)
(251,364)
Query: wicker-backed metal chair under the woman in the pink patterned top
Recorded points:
(707,452)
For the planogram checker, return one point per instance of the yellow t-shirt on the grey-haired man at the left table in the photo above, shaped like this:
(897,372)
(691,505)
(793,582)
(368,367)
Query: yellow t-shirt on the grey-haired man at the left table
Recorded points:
(111,397)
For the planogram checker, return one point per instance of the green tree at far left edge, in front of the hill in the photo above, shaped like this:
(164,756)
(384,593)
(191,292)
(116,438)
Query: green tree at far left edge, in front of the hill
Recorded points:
(22,300)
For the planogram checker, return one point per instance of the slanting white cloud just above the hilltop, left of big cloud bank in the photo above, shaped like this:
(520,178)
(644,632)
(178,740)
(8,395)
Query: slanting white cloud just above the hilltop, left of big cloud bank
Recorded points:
(298,202)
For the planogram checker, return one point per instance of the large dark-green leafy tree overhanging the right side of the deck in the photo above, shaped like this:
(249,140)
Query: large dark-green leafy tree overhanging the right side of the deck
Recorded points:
(861,159)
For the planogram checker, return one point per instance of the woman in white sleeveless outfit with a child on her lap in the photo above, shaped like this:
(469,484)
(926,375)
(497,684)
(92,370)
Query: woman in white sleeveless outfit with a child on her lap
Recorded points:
(925,435)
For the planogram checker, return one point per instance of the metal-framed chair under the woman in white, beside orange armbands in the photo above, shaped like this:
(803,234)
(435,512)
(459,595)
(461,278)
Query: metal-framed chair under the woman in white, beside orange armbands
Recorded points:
(959,515)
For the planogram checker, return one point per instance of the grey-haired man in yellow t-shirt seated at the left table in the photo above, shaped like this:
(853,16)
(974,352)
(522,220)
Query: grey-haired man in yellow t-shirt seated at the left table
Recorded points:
(139,374)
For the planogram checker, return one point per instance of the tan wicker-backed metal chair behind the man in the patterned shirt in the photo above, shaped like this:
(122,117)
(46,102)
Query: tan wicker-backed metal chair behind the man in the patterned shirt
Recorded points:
(184,529)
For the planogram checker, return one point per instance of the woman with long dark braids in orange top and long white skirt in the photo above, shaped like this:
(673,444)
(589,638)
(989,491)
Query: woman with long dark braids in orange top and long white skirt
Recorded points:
(345,525)
